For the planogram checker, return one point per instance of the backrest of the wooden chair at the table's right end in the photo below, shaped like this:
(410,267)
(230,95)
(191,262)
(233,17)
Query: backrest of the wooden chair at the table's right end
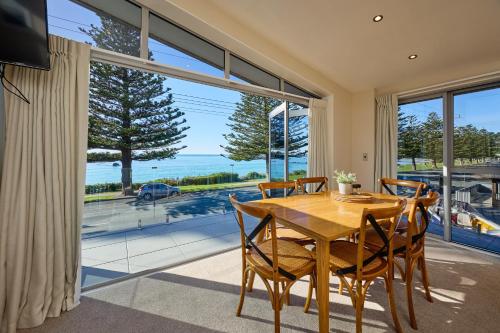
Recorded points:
(418,218)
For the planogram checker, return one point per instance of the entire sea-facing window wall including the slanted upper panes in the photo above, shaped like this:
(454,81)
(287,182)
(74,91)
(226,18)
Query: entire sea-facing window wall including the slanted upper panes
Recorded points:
(164,153)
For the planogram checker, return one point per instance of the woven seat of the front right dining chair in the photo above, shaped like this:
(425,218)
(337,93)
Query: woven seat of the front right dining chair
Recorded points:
(343,254)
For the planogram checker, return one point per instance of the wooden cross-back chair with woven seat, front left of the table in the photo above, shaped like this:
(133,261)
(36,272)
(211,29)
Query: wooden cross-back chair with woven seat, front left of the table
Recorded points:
(275,260)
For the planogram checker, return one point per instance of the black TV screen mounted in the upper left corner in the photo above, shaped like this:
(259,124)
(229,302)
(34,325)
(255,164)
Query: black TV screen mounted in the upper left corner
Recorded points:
(24,34)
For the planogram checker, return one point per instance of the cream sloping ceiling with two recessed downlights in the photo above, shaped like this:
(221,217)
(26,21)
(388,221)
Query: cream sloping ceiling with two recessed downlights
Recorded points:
(339,39)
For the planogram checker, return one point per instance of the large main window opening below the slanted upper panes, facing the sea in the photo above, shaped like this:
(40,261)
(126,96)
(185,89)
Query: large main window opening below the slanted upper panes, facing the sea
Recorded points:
(161,165)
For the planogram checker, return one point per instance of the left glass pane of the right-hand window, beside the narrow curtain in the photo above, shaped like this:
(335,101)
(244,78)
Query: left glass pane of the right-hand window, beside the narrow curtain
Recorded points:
(420,150)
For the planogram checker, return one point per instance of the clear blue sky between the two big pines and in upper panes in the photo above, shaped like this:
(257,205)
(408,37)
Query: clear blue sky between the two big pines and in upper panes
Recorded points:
(206,108)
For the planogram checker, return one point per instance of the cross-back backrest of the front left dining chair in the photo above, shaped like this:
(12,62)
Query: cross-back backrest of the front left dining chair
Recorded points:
(267,219)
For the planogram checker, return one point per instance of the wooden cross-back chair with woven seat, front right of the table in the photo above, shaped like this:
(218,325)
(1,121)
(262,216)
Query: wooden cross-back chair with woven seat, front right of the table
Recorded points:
(355,261)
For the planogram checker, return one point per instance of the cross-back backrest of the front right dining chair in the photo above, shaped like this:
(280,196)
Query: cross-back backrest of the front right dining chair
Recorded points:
(371,216)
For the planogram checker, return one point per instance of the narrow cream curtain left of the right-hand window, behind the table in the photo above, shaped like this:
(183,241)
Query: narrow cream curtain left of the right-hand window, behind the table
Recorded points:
(386,137)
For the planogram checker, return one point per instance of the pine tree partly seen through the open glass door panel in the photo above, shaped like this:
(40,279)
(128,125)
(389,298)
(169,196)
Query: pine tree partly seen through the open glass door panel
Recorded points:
(249,136)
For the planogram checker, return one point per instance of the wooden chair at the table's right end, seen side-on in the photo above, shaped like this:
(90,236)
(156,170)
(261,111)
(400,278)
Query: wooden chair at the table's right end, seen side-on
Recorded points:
(411,248)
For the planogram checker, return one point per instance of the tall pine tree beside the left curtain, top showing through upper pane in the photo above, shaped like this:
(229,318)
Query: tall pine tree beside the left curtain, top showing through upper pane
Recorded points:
(130,111)
